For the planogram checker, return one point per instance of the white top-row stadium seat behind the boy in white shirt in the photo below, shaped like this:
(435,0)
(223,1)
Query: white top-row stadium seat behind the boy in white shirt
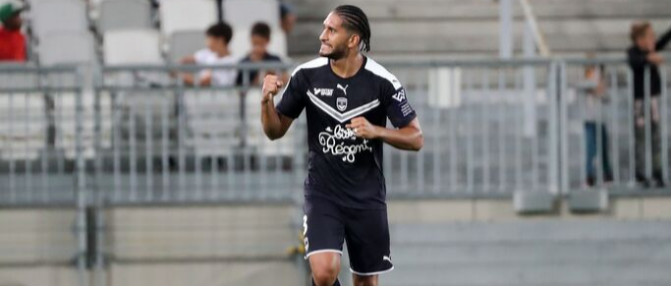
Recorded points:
(180,15)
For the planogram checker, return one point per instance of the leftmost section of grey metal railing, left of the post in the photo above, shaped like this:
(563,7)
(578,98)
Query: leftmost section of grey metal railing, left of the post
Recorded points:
(38,132)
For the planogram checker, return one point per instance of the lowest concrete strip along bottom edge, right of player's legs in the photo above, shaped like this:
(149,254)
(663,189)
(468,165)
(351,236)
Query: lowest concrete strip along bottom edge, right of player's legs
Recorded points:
(533,273)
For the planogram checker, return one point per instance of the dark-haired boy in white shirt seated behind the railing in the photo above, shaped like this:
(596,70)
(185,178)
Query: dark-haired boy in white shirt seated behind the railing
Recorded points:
(216,54)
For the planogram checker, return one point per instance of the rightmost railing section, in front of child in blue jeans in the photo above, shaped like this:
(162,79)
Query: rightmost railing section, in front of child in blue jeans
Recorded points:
(600,128)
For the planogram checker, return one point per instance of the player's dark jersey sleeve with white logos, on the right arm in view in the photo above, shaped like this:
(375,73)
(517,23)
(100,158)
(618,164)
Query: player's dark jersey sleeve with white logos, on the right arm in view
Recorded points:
(399,111)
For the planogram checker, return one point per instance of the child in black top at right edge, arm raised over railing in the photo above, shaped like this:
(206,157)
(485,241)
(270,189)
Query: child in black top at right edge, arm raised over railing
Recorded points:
(643,55)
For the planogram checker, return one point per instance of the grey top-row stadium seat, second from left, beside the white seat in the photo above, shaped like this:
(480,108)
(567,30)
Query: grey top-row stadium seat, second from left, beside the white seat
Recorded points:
(124,15)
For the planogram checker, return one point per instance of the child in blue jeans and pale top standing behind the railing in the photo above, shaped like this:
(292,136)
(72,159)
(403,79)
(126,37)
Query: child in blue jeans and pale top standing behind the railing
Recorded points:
(596,135)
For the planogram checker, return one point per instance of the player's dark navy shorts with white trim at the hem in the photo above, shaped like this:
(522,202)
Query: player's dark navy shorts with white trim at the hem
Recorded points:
(326,225)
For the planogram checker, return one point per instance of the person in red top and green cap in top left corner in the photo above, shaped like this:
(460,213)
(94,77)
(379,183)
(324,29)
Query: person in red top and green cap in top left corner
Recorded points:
(12,41)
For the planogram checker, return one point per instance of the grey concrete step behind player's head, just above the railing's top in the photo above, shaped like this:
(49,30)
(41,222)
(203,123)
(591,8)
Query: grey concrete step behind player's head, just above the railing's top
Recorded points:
(480,36)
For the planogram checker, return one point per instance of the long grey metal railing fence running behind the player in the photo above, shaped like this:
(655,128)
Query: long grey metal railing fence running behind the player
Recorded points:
(138,135)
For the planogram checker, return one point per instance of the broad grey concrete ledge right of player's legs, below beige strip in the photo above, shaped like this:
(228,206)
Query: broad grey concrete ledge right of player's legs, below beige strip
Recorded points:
(598,252)
